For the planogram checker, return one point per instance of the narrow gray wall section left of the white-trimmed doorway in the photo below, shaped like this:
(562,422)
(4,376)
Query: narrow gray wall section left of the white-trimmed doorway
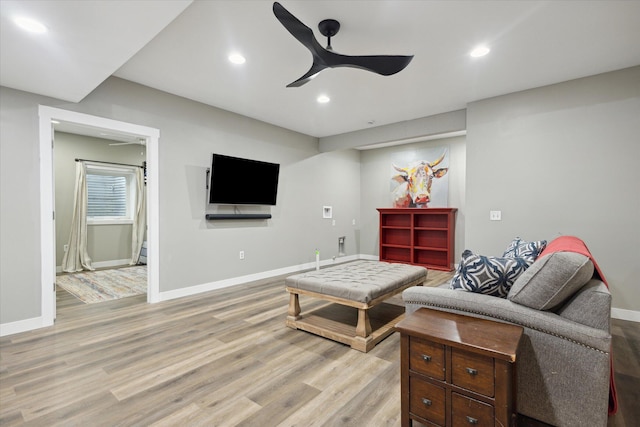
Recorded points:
(20,288)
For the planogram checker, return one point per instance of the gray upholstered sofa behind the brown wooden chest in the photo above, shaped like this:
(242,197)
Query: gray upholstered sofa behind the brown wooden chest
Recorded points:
(563,363)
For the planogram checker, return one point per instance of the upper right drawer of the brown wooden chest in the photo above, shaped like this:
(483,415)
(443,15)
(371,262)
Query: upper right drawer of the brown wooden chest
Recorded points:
(473,372)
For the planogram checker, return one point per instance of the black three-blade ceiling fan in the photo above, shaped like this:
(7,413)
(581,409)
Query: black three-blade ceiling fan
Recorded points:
(385,65)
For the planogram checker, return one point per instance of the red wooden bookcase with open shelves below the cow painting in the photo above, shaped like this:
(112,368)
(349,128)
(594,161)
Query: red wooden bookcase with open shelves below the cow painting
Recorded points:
(420,236)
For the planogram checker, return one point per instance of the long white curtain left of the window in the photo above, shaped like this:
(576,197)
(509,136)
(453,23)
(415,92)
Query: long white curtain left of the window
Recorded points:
(77,258)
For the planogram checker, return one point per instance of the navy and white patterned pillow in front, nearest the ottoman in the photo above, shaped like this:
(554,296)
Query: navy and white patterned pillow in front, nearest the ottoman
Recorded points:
(488,275)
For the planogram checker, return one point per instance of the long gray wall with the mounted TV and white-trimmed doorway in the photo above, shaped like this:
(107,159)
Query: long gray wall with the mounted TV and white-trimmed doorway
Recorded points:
(192,250)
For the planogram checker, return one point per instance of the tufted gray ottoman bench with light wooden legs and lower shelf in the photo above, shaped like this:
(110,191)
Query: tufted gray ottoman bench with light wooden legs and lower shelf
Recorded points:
(363,285)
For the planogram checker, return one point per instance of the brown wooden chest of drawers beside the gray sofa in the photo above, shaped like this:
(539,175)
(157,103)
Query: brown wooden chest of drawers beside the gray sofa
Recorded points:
(457,370)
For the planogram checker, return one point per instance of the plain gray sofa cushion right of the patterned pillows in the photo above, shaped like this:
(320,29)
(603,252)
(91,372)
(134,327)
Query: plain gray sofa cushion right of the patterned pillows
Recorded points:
(551,280)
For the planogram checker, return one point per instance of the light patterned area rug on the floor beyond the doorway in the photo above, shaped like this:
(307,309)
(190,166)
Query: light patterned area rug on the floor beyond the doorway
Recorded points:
(105,285)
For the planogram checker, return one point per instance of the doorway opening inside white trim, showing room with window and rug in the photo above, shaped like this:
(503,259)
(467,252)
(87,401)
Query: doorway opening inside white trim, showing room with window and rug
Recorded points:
(114,163)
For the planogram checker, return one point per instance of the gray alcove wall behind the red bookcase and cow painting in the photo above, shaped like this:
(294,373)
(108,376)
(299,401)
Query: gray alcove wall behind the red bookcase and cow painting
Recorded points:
(376,166)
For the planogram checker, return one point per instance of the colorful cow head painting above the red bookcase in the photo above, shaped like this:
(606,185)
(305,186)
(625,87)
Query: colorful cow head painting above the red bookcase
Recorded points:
(420,179)
